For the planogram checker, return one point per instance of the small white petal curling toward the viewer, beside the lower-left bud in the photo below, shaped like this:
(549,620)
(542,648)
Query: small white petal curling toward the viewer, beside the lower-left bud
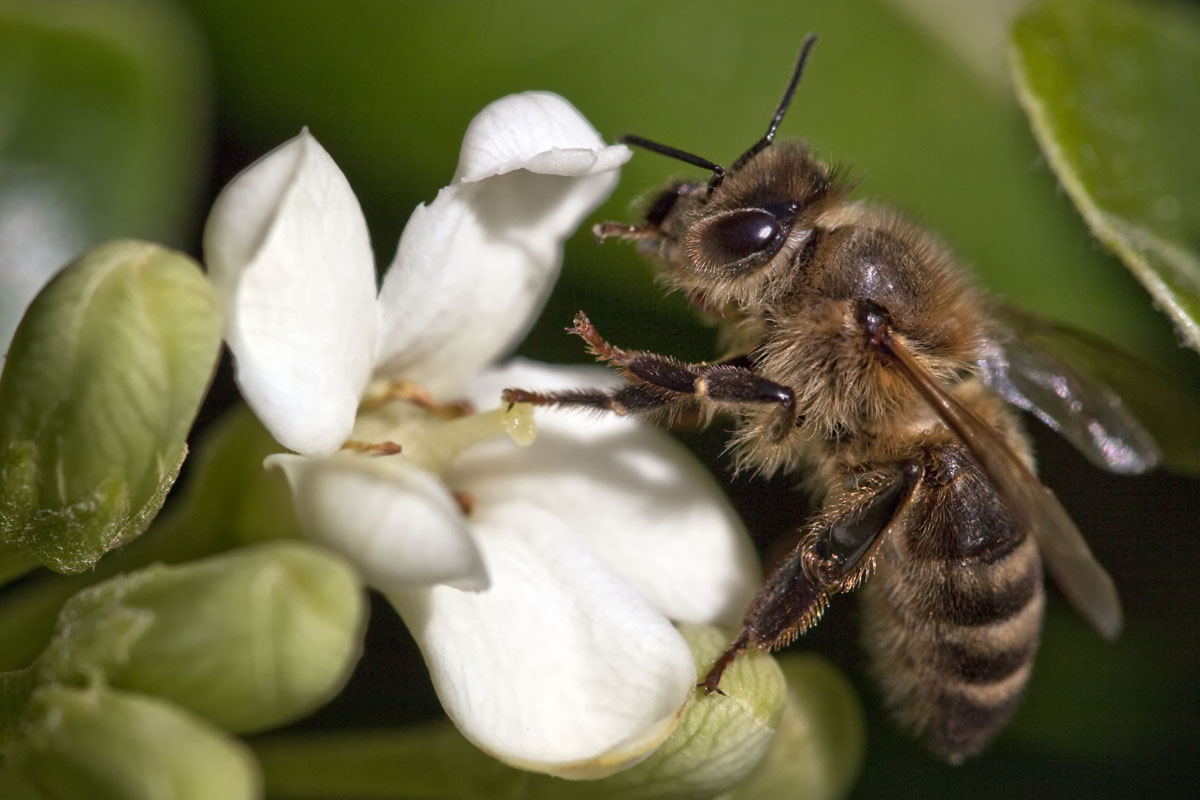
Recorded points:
(397,524)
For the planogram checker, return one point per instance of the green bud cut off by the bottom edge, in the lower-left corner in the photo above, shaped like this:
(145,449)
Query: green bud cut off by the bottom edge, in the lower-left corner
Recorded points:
(104,744)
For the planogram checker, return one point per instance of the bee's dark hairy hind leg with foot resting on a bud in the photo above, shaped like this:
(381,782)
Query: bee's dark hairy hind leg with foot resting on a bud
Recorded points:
(835,556)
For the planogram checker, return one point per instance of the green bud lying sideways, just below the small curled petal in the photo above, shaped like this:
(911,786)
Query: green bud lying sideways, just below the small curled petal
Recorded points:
(249,640)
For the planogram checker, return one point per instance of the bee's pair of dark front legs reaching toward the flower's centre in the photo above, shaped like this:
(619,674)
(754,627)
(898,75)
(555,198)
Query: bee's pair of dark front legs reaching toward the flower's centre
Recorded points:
(658,382)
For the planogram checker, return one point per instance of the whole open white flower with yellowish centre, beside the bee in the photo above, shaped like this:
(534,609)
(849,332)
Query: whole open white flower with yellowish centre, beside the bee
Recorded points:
(541,582)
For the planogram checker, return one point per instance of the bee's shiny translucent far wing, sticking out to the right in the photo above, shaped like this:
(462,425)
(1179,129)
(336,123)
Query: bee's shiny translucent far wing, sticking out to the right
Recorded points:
(1085,411)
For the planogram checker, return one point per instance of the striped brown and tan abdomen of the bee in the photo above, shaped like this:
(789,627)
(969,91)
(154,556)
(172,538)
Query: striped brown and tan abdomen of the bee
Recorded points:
(955,611)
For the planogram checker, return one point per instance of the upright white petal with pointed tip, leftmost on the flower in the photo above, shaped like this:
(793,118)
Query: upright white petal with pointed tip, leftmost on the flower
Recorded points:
(287,248)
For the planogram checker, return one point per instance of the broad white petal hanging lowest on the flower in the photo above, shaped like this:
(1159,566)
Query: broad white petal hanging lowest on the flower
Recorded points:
(560,666)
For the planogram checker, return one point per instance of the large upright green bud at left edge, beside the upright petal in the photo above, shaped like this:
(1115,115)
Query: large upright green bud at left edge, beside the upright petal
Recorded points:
(101,386)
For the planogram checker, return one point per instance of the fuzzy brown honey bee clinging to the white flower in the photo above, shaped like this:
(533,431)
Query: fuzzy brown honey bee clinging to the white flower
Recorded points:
(861,356)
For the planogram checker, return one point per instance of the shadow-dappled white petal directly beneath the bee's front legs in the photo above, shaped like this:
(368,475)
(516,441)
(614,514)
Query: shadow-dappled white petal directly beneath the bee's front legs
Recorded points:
(637,497)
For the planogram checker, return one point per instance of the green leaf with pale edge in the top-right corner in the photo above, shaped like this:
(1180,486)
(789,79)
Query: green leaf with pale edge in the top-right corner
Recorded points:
(1108,87)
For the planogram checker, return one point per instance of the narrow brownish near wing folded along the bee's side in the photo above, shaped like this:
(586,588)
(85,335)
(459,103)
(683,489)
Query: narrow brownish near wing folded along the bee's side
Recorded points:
(1083,580)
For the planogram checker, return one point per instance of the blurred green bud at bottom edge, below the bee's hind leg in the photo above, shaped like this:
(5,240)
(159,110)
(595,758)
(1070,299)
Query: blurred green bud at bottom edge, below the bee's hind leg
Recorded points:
(818,751)
